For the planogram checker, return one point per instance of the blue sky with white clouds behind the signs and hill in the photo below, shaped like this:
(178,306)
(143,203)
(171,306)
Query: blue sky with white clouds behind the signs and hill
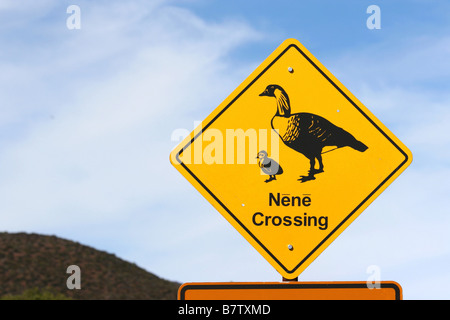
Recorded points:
(88,114)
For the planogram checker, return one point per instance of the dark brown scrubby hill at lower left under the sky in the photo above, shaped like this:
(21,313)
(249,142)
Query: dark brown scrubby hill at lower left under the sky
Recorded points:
(33,264)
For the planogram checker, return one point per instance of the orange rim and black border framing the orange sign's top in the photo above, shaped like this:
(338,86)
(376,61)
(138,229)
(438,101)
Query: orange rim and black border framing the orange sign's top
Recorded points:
(247,286)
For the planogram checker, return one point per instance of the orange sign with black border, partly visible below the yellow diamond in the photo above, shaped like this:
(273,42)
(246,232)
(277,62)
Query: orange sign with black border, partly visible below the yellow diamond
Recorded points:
(387,290)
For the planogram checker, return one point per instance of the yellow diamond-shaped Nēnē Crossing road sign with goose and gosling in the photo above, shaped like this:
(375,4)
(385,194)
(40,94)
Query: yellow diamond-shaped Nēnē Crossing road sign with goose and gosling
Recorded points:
(291,158)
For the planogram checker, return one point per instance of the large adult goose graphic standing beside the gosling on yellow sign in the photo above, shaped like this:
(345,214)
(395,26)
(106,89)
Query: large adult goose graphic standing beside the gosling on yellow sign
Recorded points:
(307,133)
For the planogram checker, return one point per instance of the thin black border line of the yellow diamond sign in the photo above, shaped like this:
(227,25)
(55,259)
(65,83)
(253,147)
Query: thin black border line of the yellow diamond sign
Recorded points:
(348,216)
